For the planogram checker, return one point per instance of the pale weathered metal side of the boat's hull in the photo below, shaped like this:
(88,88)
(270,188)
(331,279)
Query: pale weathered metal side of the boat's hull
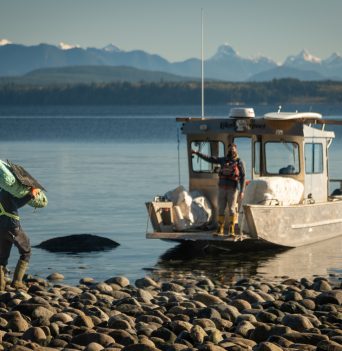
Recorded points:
(295,225)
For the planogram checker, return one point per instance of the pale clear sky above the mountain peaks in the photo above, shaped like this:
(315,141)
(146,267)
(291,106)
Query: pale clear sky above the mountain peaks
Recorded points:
(172,28)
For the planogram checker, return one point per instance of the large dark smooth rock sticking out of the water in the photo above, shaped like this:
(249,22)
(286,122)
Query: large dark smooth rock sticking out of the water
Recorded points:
(78,243)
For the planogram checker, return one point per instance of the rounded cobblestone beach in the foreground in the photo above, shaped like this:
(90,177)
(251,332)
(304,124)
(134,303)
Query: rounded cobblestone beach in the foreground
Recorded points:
(180,314)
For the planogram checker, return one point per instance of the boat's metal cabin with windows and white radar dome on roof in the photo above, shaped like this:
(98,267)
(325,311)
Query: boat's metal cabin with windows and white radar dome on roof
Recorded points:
(272,146)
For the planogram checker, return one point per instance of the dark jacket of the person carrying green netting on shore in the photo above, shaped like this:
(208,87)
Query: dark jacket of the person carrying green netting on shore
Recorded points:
(11,204)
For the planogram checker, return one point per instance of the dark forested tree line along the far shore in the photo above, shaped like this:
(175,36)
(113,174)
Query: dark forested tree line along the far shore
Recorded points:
(168,93)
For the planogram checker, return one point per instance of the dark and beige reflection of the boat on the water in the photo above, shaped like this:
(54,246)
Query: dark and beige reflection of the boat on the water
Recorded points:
(323,259)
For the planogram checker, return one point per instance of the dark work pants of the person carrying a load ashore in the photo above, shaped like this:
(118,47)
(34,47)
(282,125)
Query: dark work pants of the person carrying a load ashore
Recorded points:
(17,237)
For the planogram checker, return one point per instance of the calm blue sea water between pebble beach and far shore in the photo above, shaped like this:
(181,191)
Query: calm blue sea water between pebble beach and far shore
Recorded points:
(101,164)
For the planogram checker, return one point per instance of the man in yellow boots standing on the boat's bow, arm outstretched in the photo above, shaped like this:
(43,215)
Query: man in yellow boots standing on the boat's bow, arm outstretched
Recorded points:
(231,186)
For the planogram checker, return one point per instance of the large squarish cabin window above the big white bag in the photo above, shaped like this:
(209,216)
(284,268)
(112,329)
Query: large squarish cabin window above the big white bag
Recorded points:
(282,158)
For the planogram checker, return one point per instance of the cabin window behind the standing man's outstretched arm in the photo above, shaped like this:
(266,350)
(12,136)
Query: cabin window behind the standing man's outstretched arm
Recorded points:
(209,148)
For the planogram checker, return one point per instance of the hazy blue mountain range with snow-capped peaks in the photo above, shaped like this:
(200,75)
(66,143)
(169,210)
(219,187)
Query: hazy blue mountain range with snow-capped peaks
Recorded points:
(225,65)
